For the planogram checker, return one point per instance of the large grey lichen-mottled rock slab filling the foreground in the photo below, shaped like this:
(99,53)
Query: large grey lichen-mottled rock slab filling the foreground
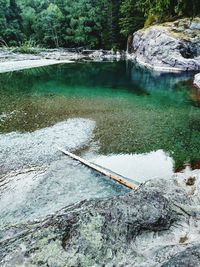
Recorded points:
(156,225)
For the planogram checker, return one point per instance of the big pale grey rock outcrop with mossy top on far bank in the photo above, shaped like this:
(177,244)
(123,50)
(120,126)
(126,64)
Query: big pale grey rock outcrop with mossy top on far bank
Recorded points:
(173,46)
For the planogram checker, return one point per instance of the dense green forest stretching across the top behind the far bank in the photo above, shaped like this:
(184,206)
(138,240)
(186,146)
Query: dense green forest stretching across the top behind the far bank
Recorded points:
(89,23)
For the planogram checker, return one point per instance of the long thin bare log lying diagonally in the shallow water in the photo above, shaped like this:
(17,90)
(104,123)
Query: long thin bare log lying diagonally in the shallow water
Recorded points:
(99,169)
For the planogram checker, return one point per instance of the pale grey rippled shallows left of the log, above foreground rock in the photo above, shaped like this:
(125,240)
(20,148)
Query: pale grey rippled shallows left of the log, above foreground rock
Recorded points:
(39,179)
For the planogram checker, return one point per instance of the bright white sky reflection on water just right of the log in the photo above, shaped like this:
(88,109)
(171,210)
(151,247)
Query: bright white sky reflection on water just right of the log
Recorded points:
(139,167)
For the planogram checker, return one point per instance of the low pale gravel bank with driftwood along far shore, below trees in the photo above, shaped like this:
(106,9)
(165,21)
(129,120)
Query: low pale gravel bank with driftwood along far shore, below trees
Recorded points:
(13,59)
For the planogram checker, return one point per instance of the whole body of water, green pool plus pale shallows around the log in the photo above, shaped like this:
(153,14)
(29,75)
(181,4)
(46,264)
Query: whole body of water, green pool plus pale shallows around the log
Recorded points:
(140,124)
